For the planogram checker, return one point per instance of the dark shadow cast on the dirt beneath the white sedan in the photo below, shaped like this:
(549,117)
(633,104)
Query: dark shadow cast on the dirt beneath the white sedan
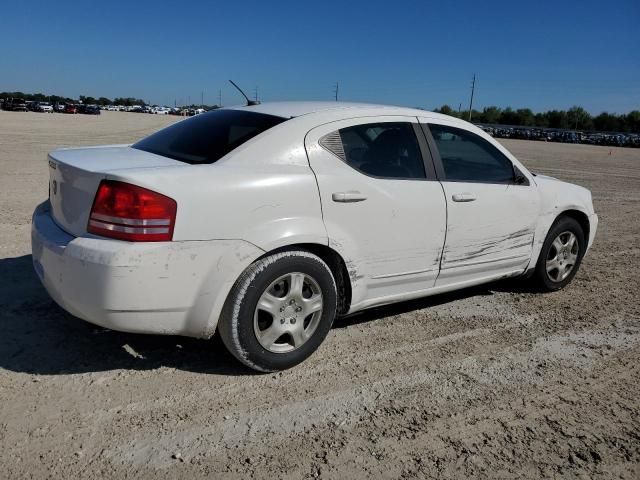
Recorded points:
(38,337)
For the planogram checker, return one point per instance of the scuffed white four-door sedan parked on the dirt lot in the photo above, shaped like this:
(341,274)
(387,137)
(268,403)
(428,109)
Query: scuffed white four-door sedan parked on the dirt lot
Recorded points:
(264,222)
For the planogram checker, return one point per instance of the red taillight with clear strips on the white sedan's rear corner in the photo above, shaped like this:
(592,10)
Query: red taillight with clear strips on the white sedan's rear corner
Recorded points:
(128,212)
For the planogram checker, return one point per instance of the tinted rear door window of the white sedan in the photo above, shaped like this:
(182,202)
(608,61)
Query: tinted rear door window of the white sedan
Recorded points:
(386,150)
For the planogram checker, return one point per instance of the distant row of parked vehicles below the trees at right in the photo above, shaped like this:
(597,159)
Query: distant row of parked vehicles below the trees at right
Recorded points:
(563,136)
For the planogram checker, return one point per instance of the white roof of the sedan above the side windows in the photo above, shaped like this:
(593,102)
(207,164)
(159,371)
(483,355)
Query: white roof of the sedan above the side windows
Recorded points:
(340,109)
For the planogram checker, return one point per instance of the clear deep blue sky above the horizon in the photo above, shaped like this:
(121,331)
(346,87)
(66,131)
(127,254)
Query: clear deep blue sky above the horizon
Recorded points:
(540,54)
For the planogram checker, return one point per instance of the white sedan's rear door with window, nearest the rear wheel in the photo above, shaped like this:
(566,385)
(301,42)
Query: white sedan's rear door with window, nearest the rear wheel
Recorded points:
(383,208)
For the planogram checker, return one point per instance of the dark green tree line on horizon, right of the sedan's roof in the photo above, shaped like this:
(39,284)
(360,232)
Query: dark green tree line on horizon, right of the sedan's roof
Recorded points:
(576,118)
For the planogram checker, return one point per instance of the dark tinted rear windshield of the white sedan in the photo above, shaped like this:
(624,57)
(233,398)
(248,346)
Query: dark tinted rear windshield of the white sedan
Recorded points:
(209,136)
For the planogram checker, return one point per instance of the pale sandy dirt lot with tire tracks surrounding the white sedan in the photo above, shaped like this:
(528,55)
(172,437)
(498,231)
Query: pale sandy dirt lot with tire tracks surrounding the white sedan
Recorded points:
(491,382)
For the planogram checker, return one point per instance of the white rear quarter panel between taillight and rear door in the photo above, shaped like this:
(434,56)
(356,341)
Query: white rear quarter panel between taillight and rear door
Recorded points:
(263,192)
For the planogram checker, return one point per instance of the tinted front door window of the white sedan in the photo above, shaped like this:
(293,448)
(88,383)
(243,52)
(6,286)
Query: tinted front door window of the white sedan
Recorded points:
(466,157)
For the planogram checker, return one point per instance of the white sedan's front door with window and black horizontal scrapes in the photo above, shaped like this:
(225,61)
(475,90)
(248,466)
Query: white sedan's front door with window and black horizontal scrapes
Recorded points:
(492,206)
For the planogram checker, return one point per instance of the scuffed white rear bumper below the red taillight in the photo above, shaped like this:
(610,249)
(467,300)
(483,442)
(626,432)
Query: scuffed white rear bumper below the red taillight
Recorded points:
(175,288)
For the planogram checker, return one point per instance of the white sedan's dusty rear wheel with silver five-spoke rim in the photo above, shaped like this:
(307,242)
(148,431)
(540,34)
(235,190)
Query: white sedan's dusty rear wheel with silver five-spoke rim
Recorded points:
(279,294)
